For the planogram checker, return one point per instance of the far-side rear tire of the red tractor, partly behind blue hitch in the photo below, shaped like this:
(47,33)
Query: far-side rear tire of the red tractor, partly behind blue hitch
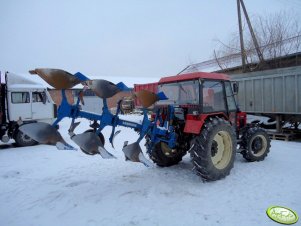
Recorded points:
(163,156)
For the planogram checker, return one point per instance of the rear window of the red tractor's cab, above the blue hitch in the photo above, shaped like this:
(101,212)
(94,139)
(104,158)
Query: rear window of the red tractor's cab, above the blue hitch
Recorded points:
(180,92)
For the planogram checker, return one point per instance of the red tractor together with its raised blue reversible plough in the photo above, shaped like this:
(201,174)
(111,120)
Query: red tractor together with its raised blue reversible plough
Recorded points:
(193,113)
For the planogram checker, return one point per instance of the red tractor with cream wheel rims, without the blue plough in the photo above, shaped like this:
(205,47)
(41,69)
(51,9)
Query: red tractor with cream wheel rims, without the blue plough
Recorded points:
(208,124)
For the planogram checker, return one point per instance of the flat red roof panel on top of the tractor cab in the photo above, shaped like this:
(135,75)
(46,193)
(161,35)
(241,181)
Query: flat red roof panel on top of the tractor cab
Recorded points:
(192,76)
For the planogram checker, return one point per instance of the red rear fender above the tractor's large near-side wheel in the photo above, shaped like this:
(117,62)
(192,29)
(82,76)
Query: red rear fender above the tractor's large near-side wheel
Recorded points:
(194,123)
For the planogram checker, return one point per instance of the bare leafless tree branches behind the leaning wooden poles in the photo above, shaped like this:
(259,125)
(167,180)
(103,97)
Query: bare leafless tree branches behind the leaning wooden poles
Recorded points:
(278,35)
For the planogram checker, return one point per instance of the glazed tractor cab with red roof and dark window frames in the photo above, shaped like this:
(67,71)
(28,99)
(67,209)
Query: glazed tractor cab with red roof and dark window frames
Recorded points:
(199,93)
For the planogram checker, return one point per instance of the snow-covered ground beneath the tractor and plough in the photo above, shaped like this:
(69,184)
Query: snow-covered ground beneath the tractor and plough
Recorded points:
(43,186)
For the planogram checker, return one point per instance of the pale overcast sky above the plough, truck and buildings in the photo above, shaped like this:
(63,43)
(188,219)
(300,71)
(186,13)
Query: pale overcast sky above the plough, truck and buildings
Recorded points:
(143,38)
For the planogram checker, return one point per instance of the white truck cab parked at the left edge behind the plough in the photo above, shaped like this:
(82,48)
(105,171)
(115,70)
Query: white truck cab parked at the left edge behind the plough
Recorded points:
(22,101)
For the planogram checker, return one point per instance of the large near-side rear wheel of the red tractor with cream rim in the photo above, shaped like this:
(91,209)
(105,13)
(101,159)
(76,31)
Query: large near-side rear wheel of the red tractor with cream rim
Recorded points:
(214,150)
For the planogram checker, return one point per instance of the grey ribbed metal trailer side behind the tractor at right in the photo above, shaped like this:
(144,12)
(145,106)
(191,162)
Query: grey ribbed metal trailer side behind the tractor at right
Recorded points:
(271,91)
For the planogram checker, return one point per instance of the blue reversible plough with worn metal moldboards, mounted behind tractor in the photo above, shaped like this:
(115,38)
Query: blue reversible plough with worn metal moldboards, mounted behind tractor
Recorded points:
(92,141)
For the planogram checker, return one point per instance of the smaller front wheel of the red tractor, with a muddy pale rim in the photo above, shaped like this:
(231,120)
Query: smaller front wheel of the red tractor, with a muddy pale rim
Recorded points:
(255,144)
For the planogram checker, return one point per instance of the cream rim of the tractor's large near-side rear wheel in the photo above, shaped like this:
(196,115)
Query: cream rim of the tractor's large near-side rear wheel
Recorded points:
(221,150)
